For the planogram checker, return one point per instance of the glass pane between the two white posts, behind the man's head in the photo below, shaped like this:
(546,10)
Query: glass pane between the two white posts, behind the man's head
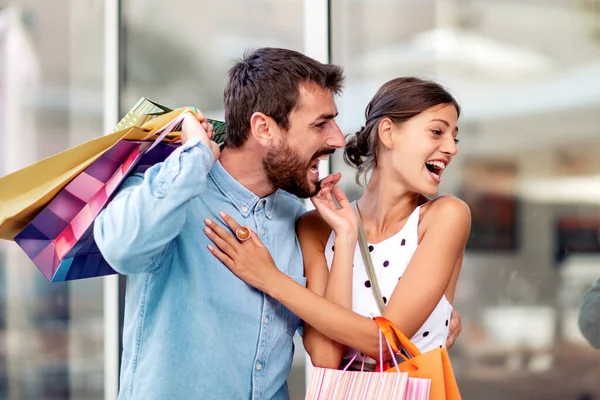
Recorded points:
(177,53)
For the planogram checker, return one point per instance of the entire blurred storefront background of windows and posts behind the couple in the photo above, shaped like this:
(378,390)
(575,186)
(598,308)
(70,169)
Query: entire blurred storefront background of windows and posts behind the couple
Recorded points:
(526,72)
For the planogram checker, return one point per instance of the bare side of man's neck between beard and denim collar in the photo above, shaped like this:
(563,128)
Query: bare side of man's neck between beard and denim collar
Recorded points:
(245,166)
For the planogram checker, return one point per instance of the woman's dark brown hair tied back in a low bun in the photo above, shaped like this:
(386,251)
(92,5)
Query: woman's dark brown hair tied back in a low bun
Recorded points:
(399,100)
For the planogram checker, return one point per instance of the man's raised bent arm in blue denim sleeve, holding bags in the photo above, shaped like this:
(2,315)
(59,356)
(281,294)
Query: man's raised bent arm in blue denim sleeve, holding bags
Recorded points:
(136,229)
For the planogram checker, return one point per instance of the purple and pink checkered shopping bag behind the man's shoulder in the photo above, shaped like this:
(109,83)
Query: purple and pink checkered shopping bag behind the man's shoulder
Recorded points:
(60,240)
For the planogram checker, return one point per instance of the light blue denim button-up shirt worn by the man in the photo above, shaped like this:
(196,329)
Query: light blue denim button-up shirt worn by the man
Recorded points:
(192,329)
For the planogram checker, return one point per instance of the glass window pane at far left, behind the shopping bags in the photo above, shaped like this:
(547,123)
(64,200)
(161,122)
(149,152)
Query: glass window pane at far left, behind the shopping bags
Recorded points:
(51,98)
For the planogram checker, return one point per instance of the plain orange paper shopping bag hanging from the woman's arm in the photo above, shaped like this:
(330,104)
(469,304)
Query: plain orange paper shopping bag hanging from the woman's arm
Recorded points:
(434,364)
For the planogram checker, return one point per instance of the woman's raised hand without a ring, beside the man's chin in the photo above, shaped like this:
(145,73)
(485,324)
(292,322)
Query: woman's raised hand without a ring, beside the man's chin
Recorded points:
(342,220)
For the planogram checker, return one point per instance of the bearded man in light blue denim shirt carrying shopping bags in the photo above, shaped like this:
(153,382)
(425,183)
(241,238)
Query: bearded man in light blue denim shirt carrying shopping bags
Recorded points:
(192,329)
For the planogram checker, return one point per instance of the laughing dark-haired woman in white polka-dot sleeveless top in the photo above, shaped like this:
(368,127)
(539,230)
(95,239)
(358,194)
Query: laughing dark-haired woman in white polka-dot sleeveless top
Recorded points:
(416,244)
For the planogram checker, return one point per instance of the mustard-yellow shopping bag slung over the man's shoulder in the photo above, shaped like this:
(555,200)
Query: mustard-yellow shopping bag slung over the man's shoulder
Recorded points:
(25,192)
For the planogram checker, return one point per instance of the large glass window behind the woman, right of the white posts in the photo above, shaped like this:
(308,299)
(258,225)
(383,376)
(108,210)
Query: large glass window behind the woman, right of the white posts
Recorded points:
(526,74)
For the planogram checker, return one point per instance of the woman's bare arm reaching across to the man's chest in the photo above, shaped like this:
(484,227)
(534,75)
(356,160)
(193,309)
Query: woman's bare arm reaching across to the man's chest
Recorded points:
(420,289)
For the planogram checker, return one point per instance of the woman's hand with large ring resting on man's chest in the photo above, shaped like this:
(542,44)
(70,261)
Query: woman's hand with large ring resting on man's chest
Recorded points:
(249,260)
